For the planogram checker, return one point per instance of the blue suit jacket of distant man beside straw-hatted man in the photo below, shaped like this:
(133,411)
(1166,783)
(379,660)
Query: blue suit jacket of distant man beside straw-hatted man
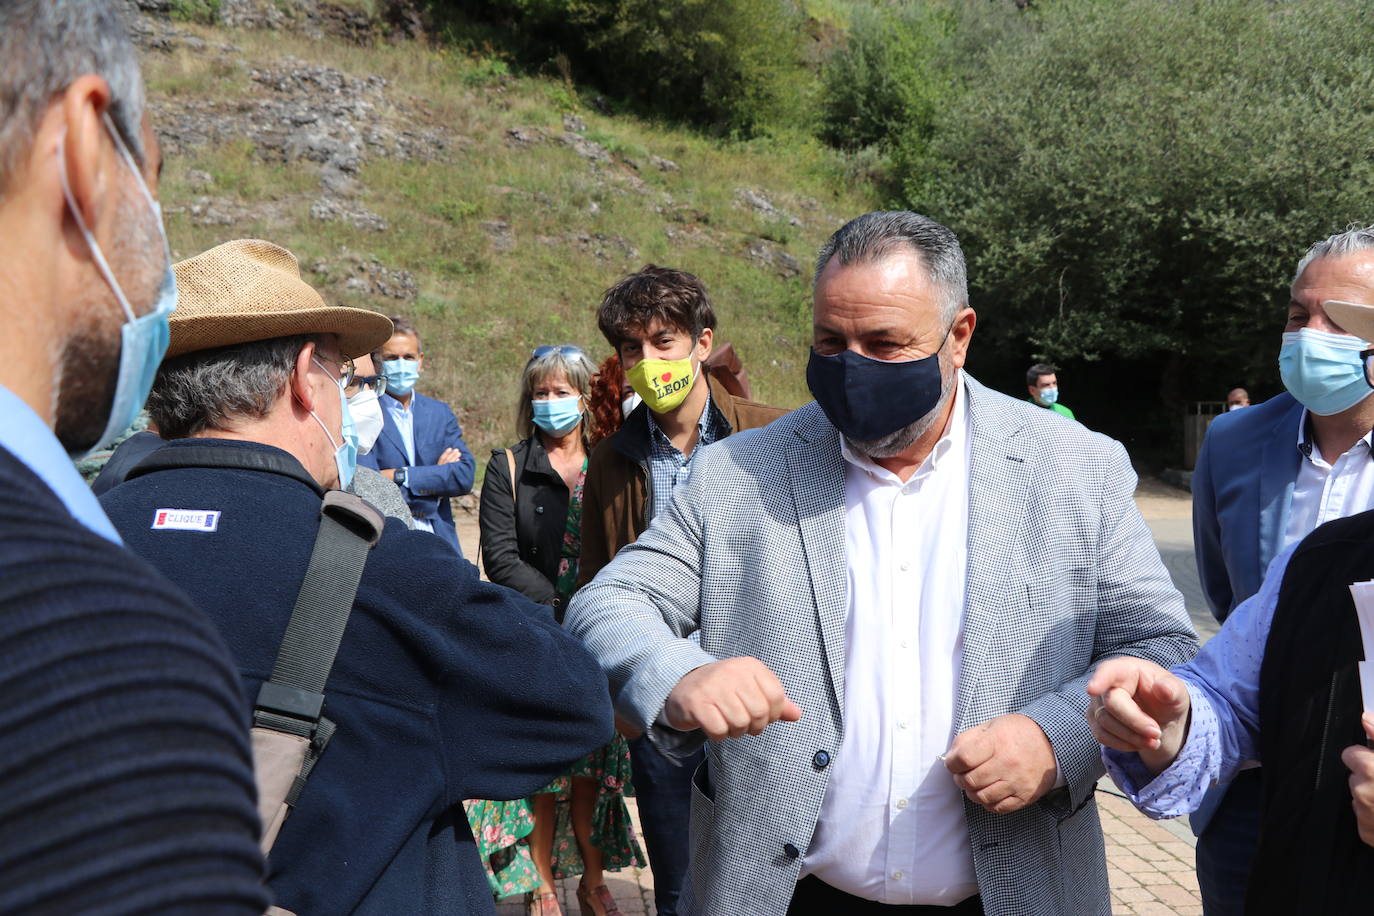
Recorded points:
(428,484)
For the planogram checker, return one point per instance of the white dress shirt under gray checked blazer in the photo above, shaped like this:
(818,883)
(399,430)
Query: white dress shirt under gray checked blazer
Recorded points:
(892,825)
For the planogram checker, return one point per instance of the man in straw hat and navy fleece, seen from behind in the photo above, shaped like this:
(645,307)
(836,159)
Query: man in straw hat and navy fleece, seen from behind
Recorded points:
(444,687)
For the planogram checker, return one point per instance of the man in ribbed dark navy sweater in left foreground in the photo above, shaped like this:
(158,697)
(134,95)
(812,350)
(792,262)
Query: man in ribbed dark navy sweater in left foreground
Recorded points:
(128,785)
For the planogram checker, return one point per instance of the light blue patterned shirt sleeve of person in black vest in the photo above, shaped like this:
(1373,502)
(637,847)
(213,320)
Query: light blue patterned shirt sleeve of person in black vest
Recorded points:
(1224,683)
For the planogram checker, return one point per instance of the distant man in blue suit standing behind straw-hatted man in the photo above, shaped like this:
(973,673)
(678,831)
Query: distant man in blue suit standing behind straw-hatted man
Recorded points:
(421,448)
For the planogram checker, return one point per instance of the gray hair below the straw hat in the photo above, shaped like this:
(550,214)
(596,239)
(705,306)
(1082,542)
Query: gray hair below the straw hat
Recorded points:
(211,389)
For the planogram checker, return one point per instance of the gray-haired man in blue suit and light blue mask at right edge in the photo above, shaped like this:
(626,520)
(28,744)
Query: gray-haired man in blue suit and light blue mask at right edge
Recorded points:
(1266,477)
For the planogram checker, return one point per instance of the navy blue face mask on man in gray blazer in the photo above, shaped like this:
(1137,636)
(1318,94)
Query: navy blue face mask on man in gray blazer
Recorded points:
(869,399)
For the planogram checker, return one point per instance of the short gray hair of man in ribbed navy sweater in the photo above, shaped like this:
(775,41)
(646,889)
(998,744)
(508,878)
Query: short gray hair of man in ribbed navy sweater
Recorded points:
(45,47)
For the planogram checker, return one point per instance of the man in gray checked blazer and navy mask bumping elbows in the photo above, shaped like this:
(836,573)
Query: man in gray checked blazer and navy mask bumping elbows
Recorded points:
(899,593)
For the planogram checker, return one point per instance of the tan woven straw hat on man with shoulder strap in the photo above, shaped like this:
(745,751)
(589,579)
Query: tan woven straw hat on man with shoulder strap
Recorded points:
(252,290)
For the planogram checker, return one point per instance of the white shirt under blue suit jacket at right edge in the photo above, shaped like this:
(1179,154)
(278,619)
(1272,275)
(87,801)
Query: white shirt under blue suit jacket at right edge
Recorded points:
(1328,491)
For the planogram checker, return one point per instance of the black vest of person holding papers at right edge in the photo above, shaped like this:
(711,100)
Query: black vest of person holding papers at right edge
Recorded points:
(1311,859)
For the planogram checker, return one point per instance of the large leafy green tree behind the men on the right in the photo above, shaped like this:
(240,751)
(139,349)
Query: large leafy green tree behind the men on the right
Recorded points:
(1136,181)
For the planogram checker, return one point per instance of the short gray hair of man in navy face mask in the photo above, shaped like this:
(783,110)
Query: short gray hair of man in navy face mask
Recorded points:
(877,236)
